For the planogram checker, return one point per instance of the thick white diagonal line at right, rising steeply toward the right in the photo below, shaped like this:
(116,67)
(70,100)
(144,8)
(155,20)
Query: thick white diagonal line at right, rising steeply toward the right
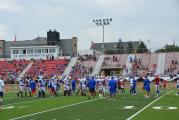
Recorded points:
(148,106)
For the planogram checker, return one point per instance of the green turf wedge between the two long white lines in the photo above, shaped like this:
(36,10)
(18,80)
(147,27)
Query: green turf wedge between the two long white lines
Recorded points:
(96,110)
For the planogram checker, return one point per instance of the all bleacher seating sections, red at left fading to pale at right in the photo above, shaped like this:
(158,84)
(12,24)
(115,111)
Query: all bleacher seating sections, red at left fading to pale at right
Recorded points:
(85,65)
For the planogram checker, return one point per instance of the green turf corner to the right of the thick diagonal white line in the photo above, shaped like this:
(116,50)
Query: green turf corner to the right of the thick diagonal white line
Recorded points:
(164,113)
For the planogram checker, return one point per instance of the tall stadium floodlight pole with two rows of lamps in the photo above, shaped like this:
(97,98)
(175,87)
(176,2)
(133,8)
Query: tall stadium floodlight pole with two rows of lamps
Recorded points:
(102,22)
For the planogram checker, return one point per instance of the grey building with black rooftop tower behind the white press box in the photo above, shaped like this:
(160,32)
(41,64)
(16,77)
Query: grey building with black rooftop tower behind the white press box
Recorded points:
(66,47)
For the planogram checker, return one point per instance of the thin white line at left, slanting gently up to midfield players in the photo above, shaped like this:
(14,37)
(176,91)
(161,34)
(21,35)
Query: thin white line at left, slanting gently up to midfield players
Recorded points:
(56,108)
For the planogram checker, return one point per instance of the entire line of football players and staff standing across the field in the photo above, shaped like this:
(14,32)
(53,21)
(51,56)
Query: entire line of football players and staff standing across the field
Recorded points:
(104,86)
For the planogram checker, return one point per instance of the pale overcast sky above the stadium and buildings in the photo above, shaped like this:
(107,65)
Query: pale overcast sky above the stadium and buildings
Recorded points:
(154,20)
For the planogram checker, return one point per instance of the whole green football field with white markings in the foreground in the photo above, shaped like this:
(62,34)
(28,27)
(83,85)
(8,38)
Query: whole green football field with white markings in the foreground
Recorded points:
(124,106)
